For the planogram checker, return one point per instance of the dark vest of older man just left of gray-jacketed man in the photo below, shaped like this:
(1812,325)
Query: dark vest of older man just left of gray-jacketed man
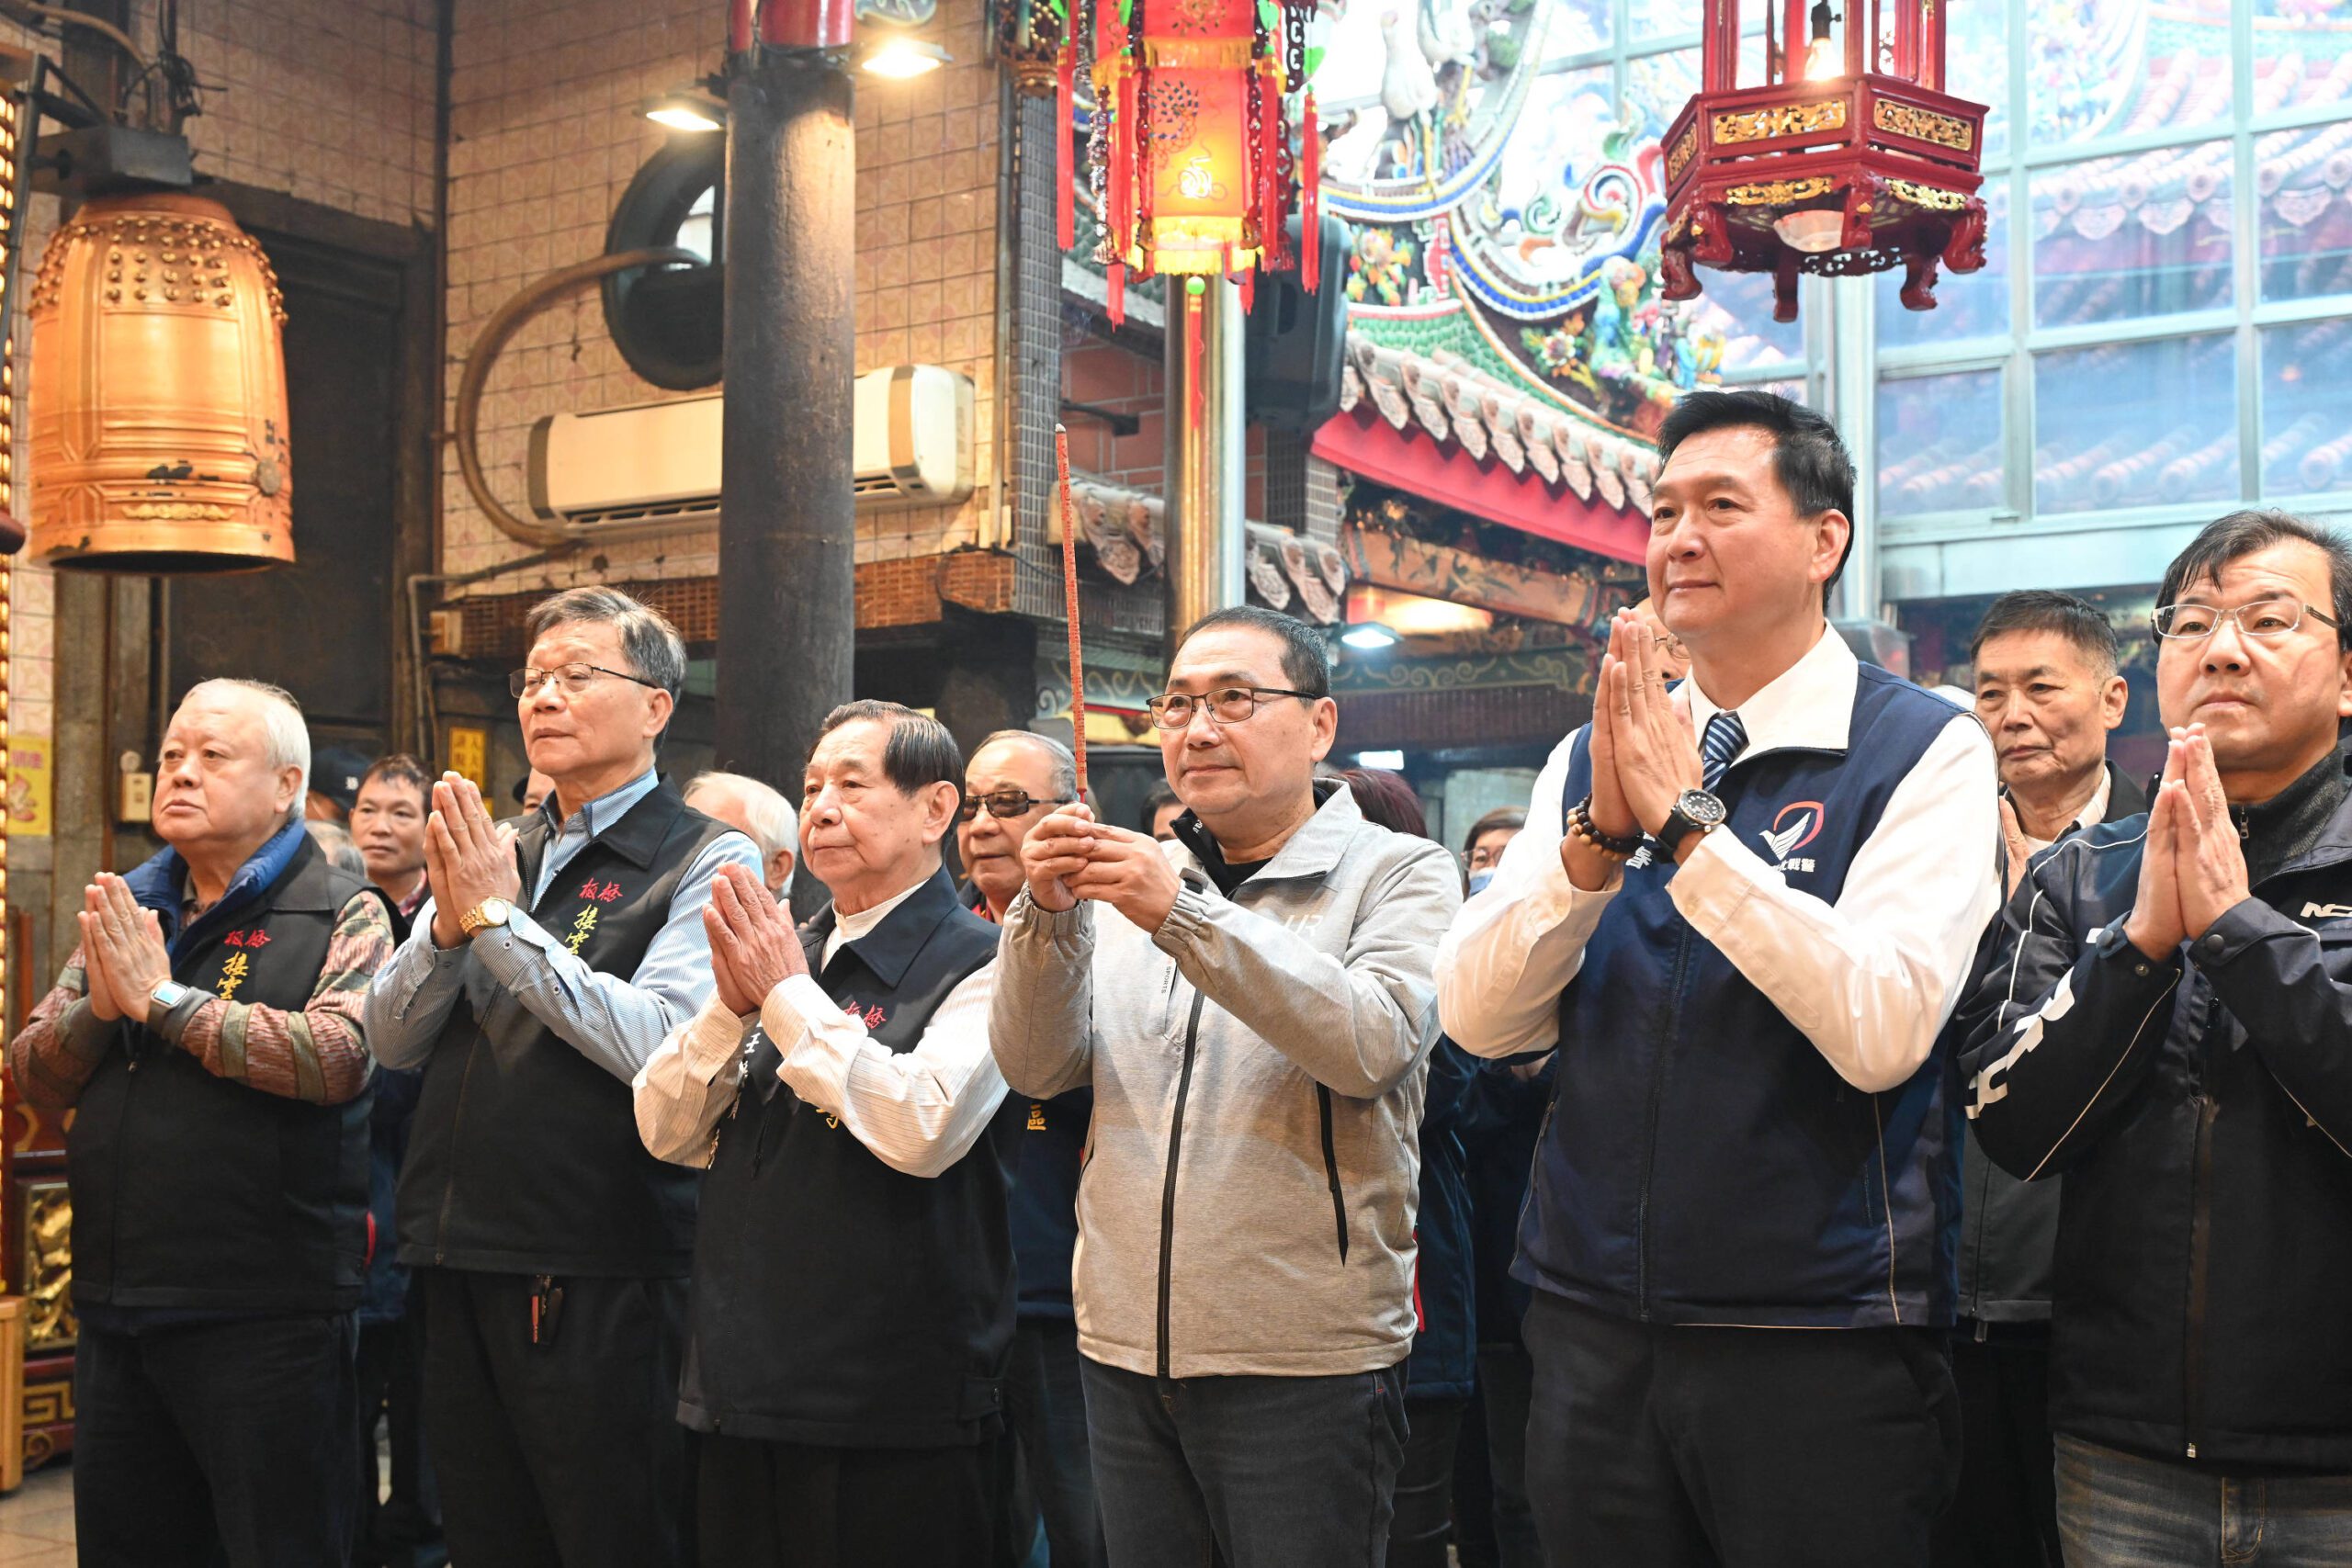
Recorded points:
(838,1301)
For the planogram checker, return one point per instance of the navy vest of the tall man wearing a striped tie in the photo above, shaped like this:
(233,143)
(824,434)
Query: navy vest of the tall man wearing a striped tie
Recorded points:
(1702,1160)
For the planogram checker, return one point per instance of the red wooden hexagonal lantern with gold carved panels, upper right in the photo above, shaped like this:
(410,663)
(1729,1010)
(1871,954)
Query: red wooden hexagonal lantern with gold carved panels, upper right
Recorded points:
(1847,159)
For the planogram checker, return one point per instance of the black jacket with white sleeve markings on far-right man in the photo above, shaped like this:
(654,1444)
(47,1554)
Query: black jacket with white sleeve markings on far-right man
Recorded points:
(2203,1115)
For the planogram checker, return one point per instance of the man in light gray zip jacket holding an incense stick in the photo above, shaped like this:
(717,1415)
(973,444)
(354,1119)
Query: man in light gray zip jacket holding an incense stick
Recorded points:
(1255,1024)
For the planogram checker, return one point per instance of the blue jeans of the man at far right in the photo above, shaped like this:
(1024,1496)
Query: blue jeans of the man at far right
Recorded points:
(2123,1510)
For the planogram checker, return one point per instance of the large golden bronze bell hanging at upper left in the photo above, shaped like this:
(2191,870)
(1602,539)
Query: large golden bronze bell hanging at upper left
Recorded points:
(159,394)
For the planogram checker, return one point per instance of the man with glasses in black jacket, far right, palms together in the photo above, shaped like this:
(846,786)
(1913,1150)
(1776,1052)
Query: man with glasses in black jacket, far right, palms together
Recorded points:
(2170,1026)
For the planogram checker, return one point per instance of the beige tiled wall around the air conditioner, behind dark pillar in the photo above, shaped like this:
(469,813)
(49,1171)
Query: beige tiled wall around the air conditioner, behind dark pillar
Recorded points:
(547,138)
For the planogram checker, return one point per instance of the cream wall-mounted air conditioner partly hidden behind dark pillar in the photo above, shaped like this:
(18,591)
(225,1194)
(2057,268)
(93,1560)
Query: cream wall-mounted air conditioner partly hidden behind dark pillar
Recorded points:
(662,460)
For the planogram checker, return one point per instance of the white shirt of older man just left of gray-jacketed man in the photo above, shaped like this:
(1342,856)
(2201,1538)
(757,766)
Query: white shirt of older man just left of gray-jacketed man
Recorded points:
(918,1111)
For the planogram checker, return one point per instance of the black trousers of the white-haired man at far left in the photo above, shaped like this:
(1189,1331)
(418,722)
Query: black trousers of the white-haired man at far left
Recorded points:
(218,1445)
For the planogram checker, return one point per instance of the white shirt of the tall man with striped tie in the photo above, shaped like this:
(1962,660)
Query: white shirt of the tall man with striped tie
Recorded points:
(1866,979)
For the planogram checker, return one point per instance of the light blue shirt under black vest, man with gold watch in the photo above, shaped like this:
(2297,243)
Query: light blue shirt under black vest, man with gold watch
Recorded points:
(521,977)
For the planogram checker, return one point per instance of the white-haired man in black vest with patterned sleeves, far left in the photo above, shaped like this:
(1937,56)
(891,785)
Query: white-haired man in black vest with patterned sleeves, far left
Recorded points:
(208,1038)
